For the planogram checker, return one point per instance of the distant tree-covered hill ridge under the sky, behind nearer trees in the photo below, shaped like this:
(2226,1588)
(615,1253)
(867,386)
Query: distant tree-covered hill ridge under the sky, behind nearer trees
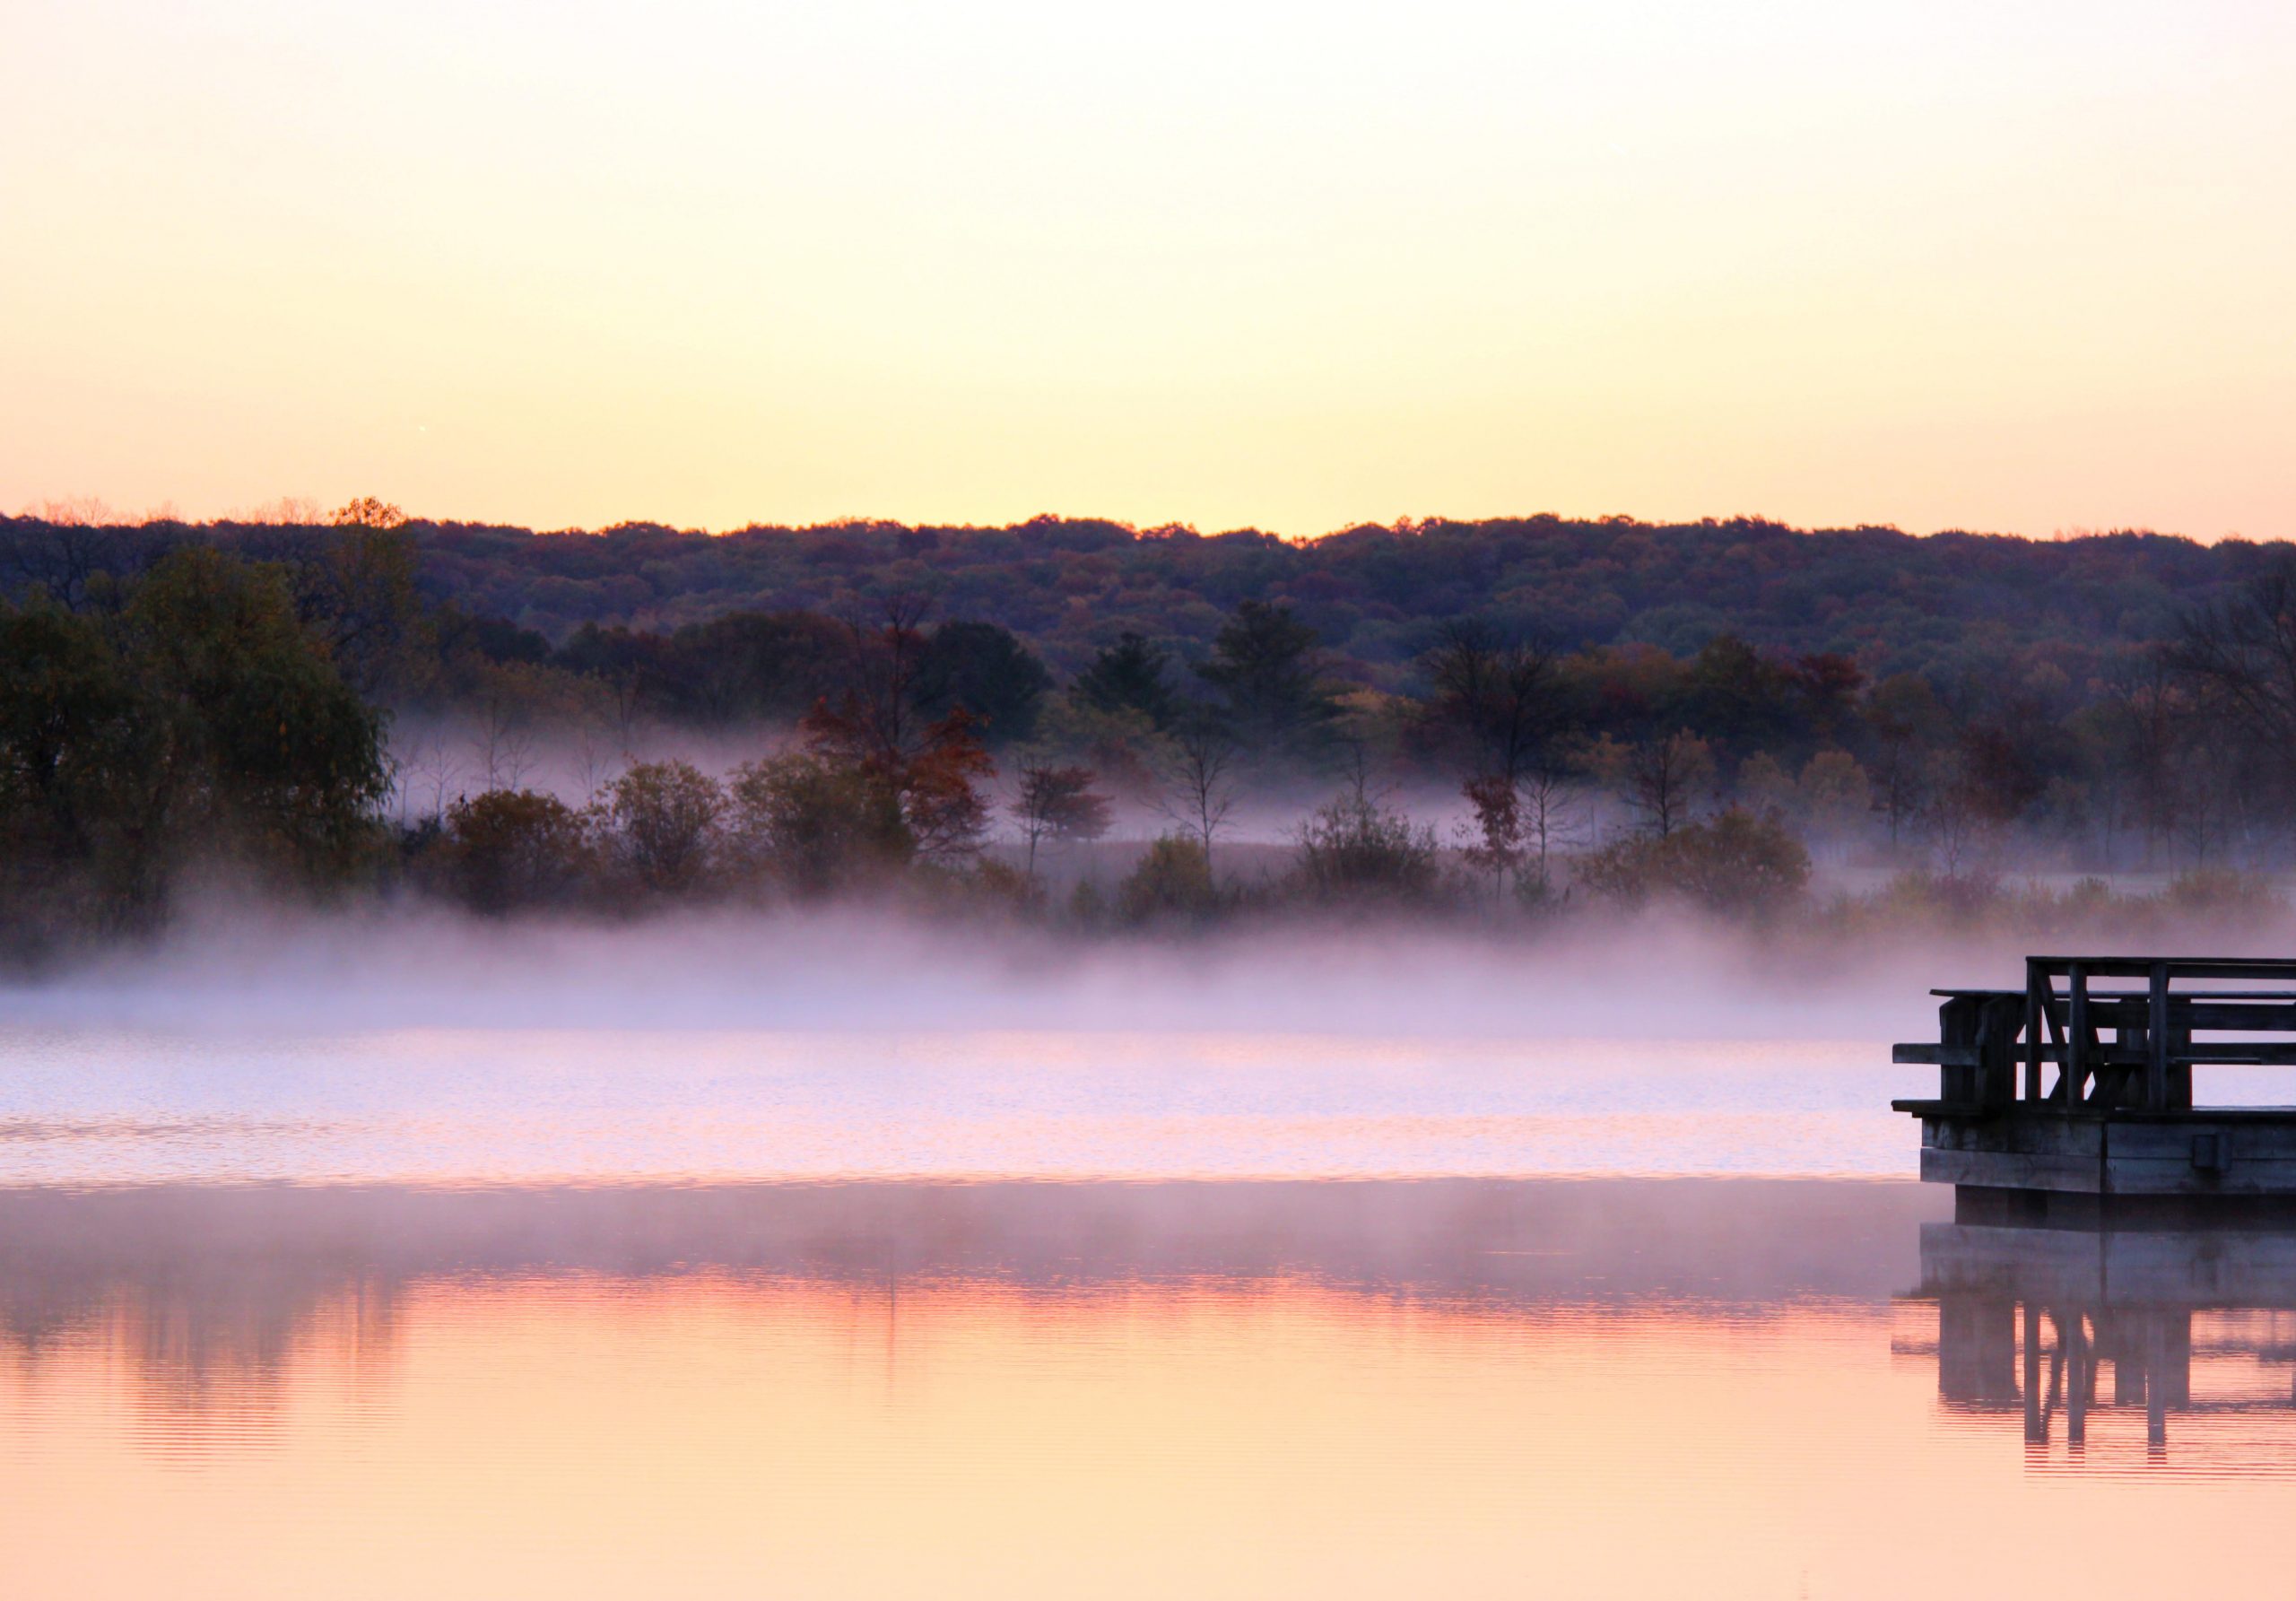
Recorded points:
(1939,605)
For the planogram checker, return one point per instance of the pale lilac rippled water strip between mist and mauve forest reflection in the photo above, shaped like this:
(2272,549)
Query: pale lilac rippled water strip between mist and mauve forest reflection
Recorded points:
(102,1106)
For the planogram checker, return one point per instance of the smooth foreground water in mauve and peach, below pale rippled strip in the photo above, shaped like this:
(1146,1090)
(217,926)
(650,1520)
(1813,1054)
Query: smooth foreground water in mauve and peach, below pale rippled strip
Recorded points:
(1073,1389)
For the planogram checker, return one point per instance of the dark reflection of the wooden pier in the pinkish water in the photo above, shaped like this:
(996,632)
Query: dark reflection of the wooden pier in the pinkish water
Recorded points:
(2111,1343)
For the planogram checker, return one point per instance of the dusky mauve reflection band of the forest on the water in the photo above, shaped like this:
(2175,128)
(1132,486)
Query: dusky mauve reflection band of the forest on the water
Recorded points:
(199,1285)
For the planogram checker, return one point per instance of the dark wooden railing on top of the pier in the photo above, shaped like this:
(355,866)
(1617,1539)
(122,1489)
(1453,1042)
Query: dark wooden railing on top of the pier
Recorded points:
(2123,1032)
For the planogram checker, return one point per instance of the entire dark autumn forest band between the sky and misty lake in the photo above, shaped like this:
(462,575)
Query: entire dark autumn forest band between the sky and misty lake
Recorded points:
(1514,720)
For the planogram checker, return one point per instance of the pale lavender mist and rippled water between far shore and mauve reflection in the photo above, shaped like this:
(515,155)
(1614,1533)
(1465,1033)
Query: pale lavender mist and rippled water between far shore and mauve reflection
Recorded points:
(444,1051)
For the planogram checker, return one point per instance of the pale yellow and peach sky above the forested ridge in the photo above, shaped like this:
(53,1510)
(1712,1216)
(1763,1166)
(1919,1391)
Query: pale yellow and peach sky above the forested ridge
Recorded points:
(2012,265)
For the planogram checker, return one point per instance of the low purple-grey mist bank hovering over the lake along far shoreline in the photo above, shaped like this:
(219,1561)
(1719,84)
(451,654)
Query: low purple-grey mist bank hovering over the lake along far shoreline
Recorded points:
(862,970)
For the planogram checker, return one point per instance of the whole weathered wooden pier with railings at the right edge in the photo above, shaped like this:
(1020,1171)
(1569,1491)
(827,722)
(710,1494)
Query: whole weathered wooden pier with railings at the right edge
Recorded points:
(2077,1092)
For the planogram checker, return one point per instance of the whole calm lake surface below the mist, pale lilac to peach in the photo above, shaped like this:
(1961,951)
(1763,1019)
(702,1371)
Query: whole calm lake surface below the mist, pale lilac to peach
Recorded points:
(522,1315)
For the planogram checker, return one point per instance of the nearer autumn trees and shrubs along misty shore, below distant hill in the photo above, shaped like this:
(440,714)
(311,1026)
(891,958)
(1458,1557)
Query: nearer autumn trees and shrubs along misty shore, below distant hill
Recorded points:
(183,704)
